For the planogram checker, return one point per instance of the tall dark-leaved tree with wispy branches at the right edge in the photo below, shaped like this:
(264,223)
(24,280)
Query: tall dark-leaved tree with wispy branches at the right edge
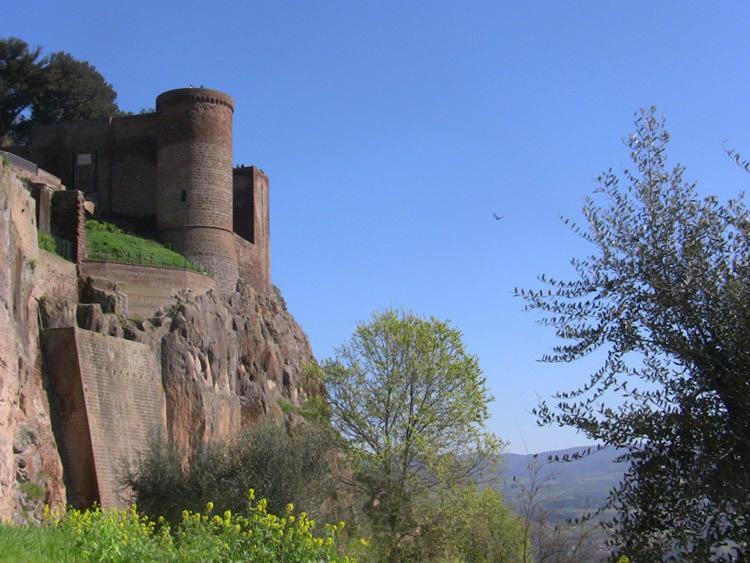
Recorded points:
(665,296)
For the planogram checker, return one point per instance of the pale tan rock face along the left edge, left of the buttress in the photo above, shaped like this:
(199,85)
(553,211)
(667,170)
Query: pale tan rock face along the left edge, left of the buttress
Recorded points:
(30,468)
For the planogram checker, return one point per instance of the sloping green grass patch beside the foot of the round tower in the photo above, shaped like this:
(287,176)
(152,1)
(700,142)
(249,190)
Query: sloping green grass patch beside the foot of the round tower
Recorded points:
(106,242)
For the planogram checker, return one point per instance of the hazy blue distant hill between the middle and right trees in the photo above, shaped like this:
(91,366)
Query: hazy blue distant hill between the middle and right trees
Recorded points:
(570,488)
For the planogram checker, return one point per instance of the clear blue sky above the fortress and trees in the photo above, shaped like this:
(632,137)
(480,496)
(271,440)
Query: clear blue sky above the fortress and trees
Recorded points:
(392,131)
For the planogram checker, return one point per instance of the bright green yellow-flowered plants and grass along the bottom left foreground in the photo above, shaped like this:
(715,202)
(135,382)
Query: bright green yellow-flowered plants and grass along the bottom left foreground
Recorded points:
(125,535)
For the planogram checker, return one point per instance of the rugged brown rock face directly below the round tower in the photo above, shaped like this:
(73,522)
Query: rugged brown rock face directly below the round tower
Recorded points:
(225,360)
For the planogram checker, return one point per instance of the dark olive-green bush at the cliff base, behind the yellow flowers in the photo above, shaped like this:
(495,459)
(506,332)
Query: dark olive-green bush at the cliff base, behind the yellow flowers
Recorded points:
(284,467)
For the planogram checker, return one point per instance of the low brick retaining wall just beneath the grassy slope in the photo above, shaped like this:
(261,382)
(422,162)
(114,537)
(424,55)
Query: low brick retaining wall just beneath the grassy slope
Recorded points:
(149,288)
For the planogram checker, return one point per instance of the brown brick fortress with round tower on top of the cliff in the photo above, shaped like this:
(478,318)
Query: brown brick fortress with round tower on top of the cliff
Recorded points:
(169,174)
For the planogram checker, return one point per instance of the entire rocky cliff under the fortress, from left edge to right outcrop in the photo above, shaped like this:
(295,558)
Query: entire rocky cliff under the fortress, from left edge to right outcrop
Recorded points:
(225,361)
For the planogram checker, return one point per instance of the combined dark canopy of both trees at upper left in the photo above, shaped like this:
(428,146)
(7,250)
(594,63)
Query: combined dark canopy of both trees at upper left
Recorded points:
(40,91)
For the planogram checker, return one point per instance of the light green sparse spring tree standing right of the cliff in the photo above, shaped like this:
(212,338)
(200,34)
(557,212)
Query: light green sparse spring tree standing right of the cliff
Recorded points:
(410,404)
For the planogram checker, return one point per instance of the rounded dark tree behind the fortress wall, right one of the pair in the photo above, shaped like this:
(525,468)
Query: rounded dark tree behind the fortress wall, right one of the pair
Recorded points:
(72,90)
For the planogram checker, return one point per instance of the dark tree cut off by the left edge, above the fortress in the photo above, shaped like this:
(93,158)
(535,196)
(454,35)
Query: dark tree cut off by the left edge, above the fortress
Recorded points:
(20,80)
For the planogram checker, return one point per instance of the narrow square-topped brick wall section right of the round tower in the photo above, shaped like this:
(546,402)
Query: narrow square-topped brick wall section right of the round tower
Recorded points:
(251,222)
